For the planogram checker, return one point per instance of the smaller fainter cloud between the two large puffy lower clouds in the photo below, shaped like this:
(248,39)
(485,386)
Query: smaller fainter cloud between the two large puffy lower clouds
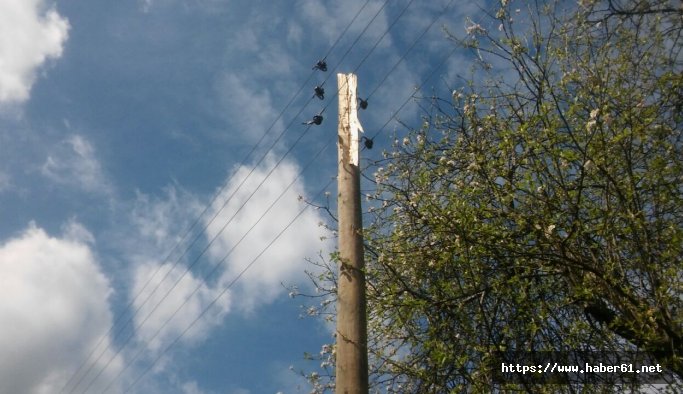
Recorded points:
(167,298)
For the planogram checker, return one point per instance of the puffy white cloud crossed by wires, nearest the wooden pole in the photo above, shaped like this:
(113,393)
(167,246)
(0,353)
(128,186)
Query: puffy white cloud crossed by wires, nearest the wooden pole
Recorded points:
(284,261)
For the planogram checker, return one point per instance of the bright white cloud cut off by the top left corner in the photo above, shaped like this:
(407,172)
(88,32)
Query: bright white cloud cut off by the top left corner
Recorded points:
(30,33)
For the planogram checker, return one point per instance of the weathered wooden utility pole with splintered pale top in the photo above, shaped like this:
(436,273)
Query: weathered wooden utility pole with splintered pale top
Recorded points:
(352,348)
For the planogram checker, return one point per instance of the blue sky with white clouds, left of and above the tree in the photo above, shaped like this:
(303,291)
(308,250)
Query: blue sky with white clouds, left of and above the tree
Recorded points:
(119,123)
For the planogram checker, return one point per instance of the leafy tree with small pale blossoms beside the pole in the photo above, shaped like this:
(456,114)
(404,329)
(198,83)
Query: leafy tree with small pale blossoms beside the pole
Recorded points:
(540,209)
